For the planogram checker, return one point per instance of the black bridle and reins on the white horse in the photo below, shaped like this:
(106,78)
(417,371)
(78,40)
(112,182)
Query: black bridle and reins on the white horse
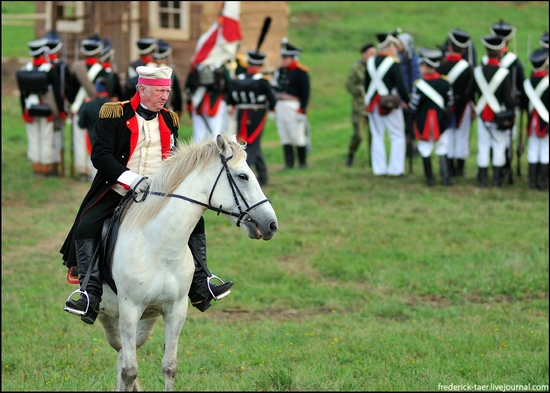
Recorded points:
(237,195)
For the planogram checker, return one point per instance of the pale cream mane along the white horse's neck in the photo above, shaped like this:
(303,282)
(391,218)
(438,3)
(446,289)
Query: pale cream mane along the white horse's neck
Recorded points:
(185,158)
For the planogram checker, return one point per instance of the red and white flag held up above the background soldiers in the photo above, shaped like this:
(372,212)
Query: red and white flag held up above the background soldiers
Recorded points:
(219,44)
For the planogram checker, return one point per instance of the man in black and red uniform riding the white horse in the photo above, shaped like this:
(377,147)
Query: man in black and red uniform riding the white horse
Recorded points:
(131,140)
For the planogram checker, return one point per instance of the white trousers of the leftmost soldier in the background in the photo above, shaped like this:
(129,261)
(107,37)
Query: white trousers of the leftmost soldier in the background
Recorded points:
(40,141)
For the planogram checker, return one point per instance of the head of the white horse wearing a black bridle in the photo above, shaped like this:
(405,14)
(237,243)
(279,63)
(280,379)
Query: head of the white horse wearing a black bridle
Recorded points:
(255,213)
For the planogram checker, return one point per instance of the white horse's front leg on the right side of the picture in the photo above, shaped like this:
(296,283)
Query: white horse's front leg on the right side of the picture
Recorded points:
(174,320)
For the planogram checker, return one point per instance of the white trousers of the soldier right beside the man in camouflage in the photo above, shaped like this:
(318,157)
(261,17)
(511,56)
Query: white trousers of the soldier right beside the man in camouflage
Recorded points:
(394,123)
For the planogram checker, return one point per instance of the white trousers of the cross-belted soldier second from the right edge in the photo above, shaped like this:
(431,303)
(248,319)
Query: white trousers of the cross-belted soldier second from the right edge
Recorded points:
(488,137)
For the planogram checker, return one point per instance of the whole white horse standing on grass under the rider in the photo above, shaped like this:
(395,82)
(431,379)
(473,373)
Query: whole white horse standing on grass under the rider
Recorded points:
(152,264)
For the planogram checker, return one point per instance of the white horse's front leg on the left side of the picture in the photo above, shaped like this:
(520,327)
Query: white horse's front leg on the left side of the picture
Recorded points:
(129,316)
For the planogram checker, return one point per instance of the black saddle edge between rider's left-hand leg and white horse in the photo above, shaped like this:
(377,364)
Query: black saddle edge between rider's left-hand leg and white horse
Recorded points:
(109,234)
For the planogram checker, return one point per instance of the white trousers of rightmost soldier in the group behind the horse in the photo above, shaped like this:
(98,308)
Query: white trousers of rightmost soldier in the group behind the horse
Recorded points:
(291,125)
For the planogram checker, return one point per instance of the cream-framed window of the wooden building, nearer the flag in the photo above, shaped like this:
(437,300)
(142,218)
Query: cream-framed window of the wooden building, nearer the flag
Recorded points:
(170,20)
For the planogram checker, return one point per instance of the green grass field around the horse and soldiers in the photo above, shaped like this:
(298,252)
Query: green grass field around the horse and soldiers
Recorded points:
(371,284)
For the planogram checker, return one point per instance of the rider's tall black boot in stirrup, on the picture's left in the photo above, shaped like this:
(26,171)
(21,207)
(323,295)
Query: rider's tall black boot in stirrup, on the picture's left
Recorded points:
(88,305)
